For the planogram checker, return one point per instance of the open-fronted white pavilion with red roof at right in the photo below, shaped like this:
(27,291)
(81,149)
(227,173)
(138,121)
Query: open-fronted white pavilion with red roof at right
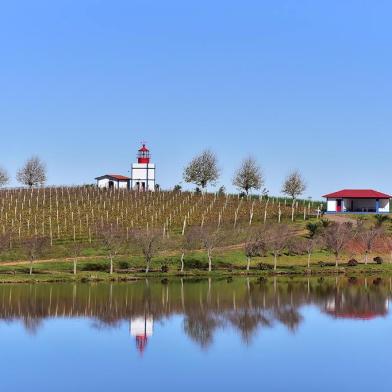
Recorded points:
(358,201)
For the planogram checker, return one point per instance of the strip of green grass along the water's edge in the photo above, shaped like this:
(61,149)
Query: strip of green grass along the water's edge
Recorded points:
(224,264)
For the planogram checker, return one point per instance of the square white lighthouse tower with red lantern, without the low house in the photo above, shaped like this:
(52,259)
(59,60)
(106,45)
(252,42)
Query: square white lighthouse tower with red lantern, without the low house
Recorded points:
(143,172)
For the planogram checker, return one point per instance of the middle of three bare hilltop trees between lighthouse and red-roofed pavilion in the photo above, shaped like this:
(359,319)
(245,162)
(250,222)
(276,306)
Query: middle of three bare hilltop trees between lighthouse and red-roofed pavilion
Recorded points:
(249,176)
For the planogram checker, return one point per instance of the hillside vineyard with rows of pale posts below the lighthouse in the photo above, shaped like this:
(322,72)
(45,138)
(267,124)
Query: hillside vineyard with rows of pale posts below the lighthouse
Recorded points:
(66,214)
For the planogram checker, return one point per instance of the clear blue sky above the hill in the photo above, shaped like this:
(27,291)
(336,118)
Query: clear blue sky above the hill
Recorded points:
(297,84)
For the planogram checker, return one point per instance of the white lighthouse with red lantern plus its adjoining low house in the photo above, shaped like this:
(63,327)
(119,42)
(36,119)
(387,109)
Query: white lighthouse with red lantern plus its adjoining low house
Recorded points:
(142,175)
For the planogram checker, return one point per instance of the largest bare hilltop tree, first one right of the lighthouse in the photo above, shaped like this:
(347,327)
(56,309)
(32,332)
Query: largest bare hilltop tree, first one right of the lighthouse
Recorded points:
(202,170)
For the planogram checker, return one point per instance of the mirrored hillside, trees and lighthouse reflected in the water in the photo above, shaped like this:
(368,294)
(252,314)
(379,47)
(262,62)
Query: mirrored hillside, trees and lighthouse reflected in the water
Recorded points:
(246,306)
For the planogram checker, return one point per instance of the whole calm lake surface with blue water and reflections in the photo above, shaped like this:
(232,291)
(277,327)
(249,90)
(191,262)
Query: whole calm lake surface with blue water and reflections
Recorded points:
(298,335)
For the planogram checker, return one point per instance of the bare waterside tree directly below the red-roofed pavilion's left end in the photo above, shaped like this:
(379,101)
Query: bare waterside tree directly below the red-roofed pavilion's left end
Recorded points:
(336,237)
